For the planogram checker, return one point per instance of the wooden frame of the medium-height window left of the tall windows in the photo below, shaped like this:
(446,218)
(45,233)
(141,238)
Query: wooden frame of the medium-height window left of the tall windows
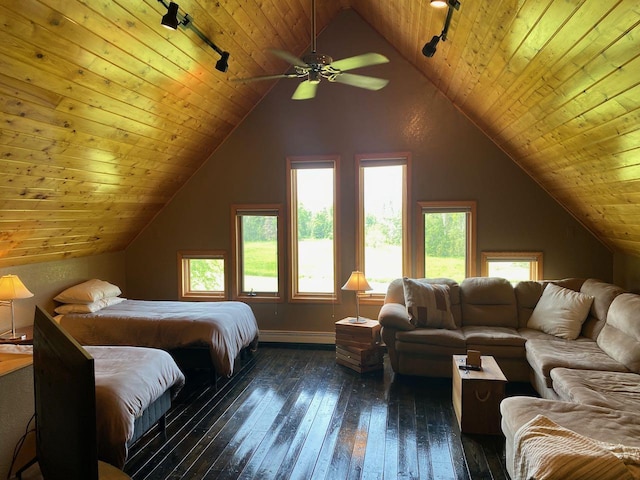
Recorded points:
(236,227)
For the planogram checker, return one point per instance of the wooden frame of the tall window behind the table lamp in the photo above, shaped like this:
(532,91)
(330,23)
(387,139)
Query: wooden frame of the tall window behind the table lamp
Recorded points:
(363,161)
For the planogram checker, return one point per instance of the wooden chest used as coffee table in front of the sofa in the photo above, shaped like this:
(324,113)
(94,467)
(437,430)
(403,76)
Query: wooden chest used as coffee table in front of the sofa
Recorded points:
(477,396)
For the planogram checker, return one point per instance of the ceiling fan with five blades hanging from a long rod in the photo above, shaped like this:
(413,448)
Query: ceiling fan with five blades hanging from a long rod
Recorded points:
(314,66)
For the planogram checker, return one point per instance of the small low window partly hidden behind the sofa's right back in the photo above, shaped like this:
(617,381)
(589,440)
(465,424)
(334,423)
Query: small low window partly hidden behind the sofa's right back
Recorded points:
(514,266)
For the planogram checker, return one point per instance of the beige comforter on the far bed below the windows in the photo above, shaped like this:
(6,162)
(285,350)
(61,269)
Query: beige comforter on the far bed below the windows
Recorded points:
(225,327)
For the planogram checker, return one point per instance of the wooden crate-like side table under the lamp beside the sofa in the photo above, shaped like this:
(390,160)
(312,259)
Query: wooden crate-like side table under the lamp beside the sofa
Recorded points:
(358,345)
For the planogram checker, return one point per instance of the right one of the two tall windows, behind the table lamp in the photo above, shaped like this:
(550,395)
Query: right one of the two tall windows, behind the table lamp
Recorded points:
(383,231)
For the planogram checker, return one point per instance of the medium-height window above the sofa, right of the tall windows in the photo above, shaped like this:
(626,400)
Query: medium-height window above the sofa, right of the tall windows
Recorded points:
(447,234)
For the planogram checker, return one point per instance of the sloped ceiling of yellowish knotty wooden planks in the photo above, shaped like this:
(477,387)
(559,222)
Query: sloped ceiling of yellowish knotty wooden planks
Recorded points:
(105,114)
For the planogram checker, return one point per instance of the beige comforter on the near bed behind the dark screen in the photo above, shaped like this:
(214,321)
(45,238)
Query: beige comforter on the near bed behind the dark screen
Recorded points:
(128,380)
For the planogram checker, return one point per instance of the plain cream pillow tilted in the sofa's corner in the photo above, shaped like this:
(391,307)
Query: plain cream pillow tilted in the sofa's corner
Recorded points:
(560,312)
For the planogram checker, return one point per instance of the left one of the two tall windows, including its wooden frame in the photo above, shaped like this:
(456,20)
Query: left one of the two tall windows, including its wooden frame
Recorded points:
(313,217)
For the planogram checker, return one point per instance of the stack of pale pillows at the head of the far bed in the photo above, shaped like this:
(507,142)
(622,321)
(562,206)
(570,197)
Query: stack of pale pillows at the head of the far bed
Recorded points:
(88,297)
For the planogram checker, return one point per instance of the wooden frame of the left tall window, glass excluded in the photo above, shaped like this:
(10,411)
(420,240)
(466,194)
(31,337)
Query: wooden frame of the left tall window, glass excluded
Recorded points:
(308,162)
